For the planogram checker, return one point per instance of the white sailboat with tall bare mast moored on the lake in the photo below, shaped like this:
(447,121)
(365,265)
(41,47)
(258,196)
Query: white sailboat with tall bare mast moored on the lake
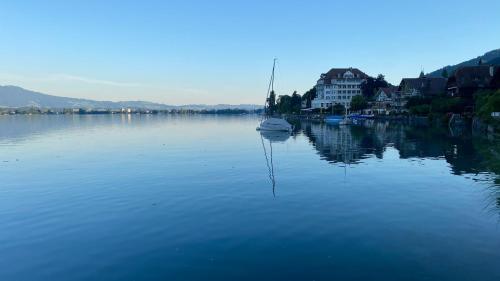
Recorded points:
(268,122)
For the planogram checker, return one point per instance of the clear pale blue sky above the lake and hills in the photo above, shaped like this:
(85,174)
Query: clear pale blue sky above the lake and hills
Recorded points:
(211,52)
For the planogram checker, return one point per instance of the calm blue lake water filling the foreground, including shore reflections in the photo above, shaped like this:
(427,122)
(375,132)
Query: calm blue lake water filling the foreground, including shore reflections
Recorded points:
(193,198)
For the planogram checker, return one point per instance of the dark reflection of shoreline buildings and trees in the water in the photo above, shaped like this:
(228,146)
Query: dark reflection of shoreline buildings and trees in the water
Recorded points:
(466,154)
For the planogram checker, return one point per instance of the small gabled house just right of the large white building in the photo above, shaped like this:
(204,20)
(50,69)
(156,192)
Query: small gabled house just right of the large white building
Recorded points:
(388,100)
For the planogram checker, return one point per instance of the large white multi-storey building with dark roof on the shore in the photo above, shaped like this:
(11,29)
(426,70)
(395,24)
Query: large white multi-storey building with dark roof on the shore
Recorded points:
(338,86)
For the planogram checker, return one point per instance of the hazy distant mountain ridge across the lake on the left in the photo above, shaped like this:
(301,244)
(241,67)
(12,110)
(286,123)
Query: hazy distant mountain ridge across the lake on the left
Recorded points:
(15,97)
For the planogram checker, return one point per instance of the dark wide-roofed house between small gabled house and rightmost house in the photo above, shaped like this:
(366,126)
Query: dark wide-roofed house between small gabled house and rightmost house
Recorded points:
(422,86)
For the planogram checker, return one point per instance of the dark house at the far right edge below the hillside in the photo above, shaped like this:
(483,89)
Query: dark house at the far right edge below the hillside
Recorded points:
(469,79)
